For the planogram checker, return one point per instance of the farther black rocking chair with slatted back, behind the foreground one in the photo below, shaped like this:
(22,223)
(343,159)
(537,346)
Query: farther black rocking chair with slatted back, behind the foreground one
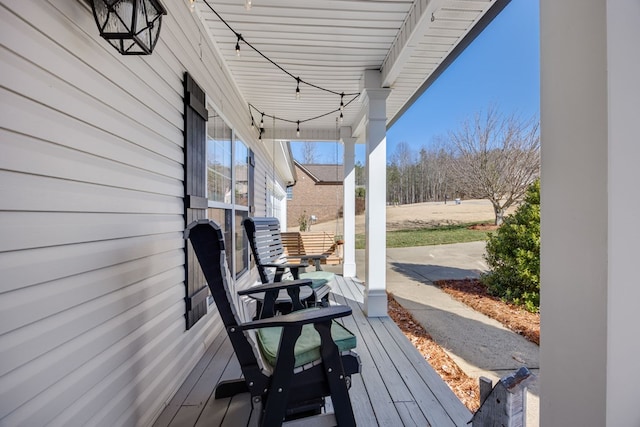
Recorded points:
(273,266)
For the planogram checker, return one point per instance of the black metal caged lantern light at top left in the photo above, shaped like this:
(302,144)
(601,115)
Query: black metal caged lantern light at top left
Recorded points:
(131,26)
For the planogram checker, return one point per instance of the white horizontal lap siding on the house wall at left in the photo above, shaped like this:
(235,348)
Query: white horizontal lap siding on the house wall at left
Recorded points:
(92,328)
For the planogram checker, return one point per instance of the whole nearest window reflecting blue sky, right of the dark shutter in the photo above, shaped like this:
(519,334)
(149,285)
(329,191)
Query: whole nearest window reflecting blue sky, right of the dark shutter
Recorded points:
(228,188)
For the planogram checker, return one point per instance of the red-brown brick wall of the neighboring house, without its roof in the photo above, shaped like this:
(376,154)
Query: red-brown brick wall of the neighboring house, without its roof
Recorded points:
(319,199)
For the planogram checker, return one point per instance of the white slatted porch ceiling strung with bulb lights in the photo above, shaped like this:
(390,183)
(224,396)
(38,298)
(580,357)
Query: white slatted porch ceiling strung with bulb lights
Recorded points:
(330,43)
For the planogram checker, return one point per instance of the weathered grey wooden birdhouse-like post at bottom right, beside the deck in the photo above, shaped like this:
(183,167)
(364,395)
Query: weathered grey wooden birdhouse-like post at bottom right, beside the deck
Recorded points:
(506,404)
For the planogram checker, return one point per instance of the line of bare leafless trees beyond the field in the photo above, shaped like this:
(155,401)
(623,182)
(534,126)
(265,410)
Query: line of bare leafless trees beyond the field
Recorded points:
(491,156)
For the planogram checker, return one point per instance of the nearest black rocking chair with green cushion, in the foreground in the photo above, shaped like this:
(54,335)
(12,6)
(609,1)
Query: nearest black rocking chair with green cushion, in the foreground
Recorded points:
(290,363)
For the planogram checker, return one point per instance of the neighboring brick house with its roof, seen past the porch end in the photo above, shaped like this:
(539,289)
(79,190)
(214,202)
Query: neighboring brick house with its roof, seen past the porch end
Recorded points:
(316,194)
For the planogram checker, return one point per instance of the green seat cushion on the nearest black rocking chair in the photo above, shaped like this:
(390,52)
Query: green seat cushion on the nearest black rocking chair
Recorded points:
(307,348)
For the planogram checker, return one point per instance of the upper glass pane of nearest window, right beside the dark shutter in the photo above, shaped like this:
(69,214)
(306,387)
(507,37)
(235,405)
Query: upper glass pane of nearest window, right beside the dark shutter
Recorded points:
(218,160)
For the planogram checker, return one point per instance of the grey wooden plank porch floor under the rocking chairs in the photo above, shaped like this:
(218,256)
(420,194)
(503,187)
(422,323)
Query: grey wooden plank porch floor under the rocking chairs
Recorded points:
(397,387)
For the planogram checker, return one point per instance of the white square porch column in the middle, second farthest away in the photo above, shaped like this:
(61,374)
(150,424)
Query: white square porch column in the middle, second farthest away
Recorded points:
(374,103)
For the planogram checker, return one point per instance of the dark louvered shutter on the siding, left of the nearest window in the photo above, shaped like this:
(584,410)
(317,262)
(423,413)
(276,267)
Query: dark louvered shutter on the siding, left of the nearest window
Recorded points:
(195,195)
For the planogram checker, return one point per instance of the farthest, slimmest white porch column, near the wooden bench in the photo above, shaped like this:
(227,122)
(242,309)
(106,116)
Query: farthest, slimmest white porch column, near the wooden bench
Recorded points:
(349,204)
